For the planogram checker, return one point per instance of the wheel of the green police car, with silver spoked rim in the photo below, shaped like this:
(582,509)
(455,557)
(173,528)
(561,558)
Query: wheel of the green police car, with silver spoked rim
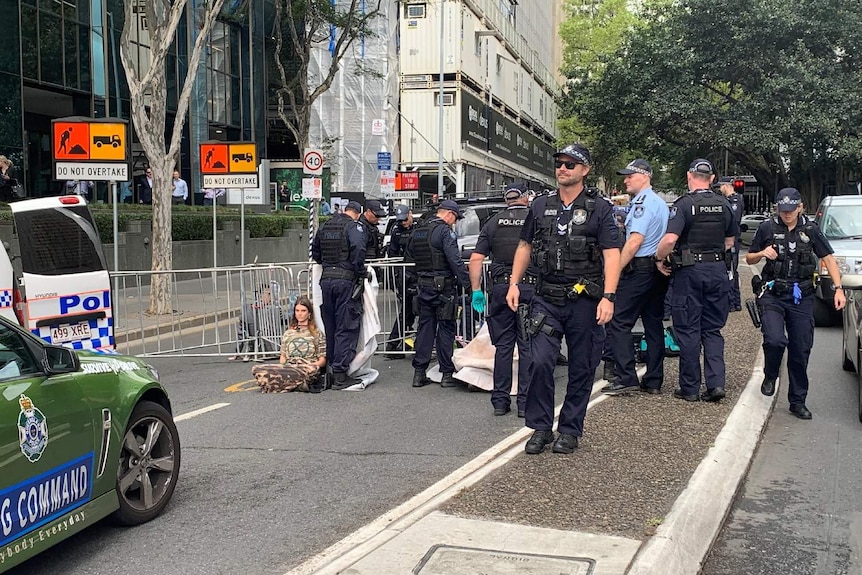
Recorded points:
(149,464)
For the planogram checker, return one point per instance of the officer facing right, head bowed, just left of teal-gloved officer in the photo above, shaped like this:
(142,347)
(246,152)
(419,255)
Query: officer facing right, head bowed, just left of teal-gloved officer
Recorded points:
(439,268)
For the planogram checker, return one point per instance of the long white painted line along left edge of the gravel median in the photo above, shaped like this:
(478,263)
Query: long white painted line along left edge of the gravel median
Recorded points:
(365,540)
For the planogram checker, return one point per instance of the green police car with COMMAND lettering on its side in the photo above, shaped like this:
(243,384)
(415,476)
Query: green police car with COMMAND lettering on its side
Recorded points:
(83,435)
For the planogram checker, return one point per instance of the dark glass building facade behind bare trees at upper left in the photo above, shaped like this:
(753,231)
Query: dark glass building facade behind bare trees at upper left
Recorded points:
(61,58)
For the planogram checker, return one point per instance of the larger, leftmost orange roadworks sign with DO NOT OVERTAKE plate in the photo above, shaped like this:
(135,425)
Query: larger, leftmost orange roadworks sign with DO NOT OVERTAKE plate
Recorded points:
(90,148)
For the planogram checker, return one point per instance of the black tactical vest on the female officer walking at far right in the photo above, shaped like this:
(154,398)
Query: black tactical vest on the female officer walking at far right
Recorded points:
(801,264)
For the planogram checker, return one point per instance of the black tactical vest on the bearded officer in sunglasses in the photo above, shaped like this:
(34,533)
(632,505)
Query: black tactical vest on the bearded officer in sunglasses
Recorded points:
(574,254)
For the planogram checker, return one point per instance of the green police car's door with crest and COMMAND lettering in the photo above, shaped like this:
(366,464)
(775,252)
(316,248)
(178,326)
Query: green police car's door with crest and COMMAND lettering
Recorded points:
(47,440)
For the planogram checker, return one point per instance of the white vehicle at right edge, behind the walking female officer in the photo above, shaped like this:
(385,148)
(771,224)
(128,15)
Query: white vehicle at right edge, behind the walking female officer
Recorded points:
(840,219)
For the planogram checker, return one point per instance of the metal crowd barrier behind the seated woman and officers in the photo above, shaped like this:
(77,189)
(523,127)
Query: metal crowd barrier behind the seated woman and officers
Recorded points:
(243,311)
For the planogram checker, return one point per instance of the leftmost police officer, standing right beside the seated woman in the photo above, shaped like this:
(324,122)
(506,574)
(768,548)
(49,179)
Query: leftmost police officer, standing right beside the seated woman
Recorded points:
(339,246)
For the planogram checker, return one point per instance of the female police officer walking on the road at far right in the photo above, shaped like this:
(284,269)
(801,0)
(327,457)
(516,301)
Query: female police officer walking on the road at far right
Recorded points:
(791,244)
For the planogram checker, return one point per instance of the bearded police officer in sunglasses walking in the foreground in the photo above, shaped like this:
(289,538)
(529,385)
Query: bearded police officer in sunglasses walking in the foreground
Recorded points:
(571,237)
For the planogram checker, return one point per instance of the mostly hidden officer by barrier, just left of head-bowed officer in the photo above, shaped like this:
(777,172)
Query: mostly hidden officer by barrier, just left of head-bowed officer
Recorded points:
(405,279)
